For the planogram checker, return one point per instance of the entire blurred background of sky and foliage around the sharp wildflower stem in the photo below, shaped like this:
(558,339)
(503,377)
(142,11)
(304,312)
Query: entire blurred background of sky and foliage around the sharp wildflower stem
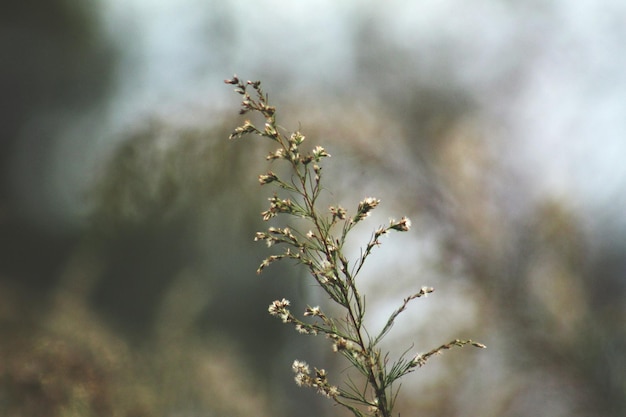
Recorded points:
(127,284)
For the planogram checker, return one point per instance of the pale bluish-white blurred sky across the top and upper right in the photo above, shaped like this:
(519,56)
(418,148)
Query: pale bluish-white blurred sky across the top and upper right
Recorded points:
(549,75)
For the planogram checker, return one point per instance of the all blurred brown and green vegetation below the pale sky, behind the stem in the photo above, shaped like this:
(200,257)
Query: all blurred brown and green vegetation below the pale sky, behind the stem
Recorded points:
(153,309)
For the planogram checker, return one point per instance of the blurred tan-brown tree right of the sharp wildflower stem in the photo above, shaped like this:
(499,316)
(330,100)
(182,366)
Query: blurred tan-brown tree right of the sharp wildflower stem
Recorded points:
(544,291)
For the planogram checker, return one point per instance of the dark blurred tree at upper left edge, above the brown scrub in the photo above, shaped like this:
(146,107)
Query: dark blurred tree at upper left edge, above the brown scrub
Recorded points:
(56,64)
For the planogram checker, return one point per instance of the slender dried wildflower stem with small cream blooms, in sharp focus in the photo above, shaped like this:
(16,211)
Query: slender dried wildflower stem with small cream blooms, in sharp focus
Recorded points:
(321,251)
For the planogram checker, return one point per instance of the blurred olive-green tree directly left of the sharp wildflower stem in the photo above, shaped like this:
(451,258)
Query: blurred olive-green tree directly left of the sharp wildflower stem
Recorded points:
(174,216)
